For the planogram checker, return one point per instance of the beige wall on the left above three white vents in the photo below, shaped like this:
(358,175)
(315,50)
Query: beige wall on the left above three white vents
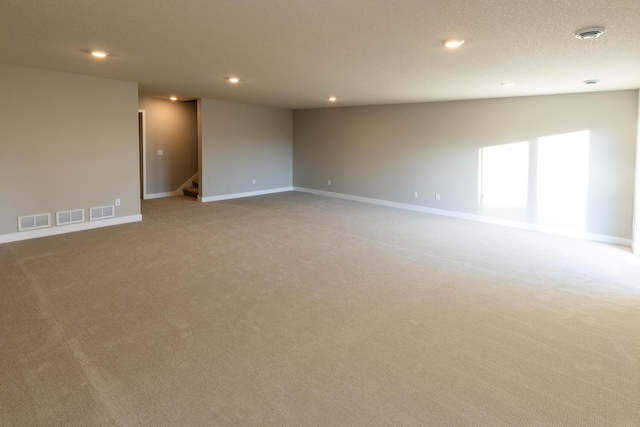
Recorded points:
(66,142)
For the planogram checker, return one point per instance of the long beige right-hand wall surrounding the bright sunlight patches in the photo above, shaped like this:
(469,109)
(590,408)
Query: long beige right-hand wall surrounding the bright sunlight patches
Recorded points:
(388,152)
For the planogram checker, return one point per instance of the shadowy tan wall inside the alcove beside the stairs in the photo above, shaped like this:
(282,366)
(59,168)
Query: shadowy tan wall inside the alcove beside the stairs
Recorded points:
(171,127)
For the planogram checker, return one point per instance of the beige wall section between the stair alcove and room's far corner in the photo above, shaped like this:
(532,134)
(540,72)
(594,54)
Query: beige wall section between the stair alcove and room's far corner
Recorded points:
(241,142)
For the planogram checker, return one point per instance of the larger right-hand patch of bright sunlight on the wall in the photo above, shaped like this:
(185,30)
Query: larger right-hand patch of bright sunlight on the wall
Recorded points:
(563,179)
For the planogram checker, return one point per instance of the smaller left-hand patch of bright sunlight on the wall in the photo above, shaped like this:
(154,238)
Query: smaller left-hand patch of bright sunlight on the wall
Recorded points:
(504,176)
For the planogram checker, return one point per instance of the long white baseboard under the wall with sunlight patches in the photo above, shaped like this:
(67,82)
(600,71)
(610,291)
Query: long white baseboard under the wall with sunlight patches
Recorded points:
(480,218)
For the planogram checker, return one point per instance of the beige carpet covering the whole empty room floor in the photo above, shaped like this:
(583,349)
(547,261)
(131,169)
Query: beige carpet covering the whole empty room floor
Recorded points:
(299,310)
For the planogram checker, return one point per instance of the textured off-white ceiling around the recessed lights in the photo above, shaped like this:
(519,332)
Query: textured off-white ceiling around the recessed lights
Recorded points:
(296,53)
